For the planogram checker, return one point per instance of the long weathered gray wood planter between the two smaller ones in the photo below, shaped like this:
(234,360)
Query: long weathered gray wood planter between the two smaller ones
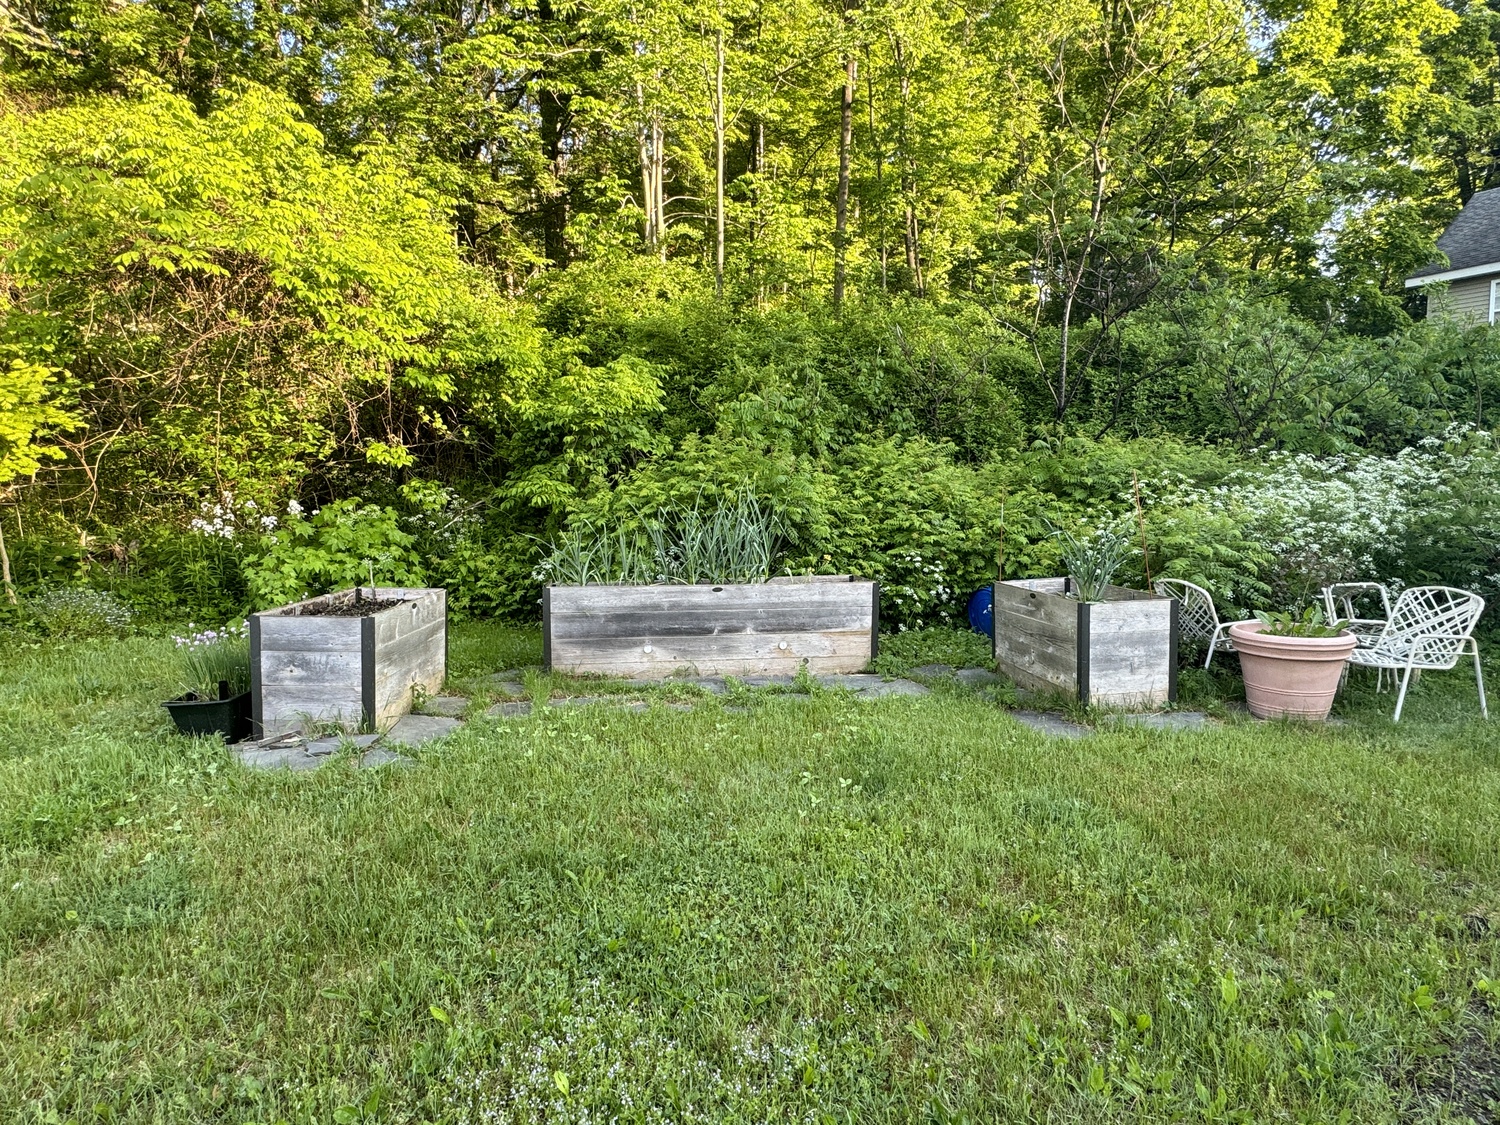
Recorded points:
(827,623)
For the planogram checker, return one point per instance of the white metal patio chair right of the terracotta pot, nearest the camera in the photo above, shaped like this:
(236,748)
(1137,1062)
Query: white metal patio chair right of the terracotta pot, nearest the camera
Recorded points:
(1430,629)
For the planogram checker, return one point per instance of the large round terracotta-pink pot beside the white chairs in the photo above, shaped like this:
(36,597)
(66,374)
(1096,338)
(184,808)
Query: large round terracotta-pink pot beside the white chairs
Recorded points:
(1291,677)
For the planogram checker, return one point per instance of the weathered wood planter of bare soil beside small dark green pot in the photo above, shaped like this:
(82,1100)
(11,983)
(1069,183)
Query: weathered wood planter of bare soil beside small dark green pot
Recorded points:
(358,671)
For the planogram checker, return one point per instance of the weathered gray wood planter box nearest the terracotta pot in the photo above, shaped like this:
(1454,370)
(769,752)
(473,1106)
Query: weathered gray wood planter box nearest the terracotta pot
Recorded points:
(1115,653)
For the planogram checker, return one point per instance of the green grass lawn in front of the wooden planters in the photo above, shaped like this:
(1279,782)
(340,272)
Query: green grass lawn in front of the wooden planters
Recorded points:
(910,910)
